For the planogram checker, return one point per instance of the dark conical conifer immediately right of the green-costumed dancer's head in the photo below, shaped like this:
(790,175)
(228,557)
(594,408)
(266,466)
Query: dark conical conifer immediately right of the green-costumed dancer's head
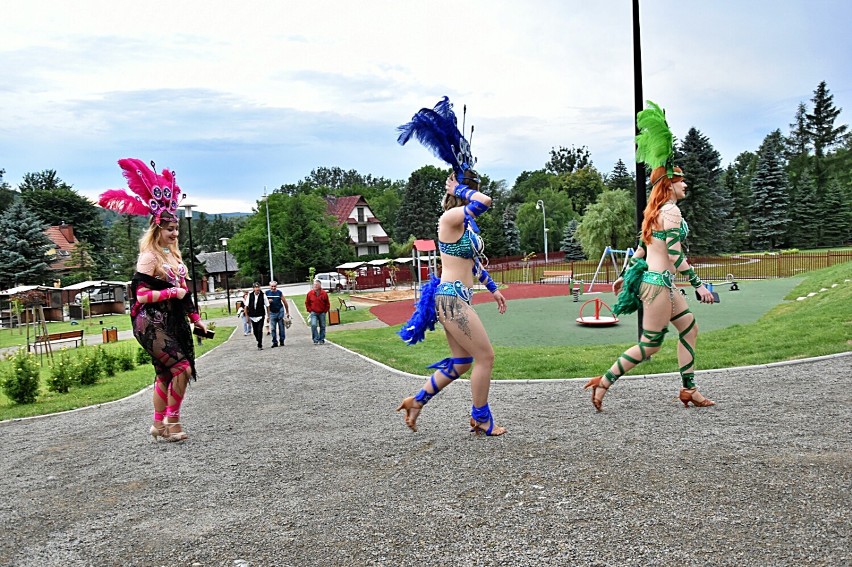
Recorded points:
(707,206)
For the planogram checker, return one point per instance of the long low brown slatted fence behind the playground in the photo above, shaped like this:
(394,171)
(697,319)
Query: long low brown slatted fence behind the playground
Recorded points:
(710,268)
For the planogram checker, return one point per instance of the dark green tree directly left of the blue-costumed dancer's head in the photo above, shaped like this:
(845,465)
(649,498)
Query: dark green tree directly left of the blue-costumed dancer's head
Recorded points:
(421,204)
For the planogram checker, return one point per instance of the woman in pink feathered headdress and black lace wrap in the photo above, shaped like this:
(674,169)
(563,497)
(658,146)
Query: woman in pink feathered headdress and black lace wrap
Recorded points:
(161,302)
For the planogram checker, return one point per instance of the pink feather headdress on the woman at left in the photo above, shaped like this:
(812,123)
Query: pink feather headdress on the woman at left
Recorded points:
(155,195)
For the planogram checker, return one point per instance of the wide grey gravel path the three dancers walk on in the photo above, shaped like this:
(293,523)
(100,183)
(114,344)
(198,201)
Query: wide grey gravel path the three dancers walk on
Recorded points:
(296,457)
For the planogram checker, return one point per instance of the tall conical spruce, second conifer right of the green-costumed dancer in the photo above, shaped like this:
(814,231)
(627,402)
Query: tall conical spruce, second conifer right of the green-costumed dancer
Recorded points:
(769,217)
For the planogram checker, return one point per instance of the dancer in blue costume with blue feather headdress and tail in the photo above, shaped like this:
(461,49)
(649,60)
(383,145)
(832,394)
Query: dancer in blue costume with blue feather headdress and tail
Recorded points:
(448,300)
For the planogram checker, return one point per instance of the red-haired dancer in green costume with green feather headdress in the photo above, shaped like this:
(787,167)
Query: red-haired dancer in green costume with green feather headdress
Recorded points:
(649,281)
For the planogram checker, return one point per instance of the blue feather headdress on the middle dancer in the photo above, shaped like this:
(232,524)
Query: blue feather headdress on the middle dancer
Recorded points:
(437,129)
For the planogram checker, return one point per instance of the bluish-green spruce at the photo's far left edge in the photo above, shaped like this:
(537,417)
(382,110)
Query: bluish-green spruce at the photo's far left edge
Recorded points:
(25,246)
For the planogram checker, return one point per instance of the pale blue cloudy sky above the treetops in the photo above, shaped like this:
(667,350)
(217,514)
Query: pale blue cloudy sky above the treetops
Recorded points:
(238,97)
